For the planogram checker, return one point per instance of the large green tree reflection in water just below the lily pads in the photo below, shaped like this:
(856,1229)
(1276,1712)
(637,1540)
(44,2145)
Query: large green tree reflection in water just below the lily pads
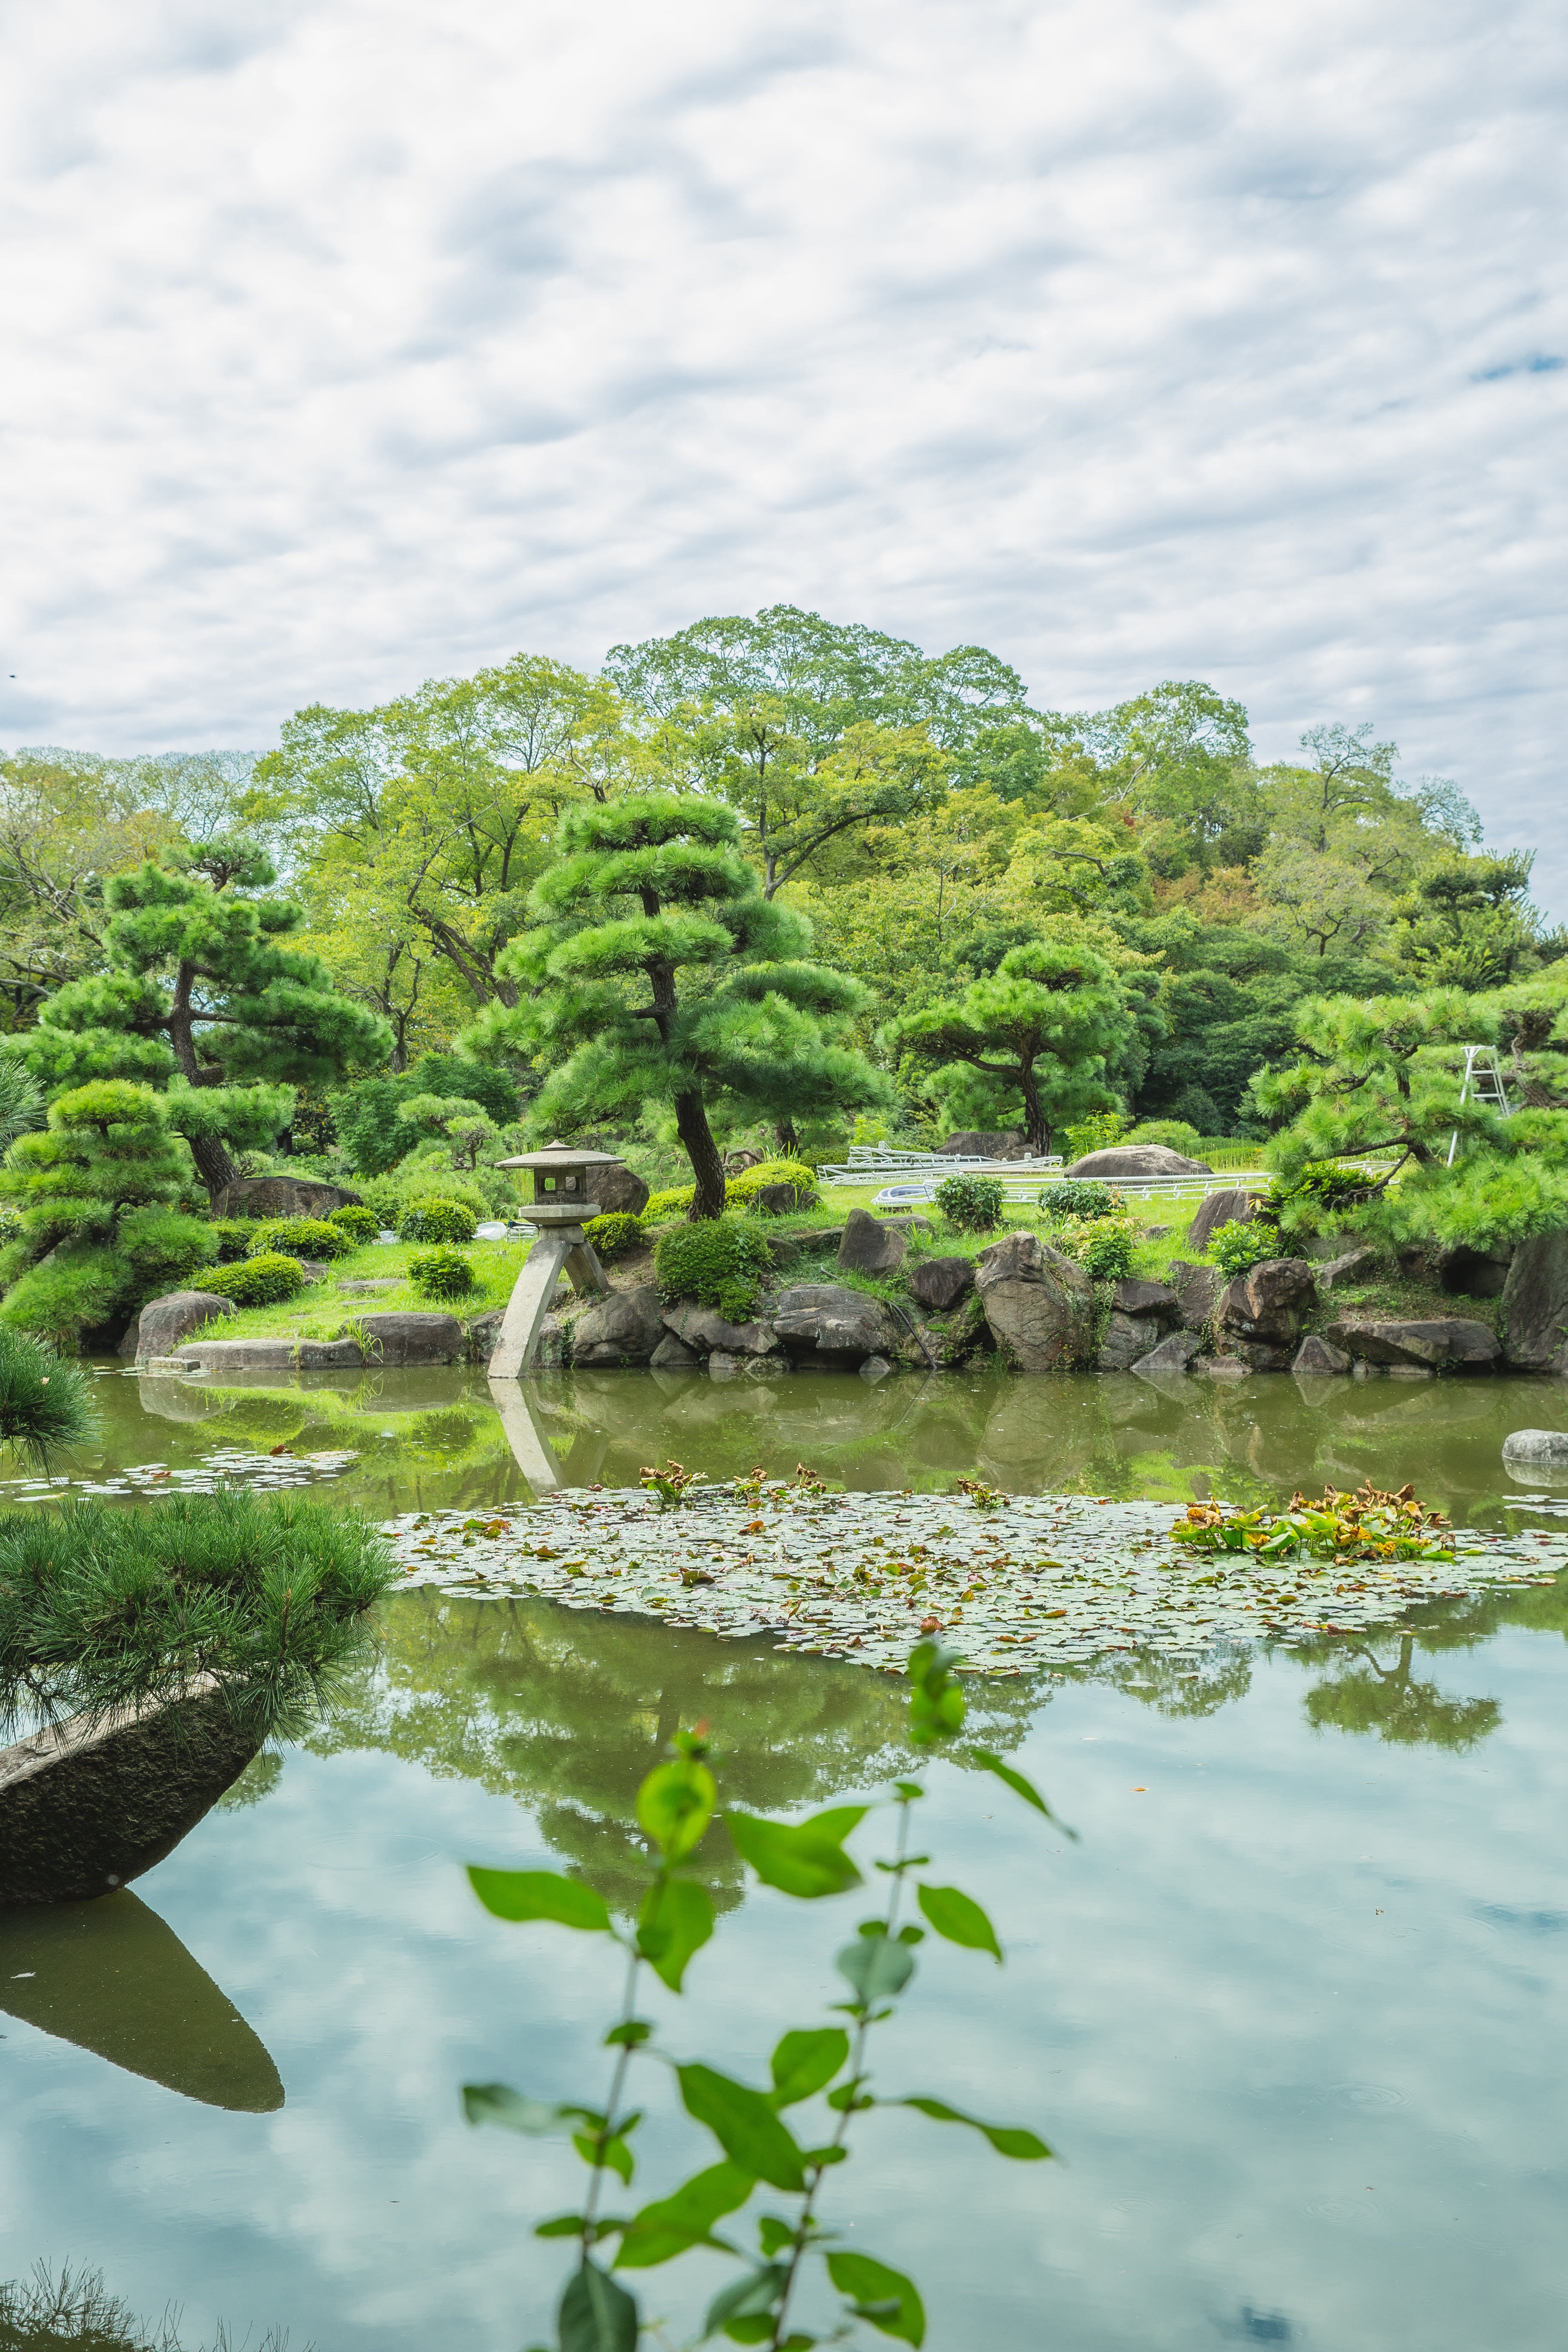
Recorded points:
(565,1711)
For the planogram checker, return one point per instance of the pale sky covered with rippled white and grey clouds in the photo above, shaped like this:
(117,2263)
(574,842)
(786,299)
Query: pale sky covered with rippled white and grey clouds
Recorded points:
(351,345)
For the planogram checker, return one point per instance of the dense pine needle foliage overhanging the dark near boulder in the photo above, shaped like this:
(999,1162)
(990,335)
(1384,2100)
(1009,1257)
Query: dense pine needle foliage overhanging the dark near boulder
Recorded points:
(121,1608)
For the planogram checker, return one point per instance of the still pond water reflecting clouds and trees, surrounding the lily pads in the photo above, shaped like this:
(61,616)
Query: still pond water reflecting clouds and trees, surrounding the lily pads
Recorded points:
(1289,2010)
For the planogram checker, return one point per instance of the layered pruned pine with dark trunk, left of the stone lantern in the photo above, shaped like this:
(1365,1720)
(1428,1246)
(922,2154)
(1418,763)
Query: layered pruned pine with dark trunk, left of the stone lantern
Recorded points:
(206,1003)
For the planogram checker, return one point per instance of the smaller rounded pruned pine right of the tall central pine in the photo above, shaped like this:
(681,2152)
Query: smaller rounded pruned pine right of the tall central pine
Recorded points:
(1040,1034)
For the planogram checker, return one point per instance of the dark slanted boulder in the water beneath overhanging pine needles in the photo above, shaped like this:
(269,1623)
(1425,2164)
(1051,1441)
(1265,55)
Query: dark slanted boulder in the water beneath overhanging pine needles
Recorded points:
(98,1800)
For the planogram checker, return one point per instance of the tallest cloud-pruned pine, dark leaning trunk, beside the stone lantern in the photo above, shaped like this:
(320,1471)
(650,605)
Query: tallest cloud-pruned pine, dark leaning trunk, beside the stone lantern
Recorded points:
(659,973)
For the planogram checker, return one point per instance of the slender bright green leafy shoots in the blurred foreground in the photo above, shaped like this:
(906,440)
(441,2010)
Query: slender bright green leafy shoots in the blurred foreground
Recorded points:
(676,1808)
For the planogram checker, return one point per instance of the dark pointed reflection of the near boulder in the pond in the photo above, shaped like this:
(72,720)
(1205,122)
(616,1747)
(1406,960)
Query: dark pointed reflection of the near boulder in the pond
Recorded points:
(121,1984)
